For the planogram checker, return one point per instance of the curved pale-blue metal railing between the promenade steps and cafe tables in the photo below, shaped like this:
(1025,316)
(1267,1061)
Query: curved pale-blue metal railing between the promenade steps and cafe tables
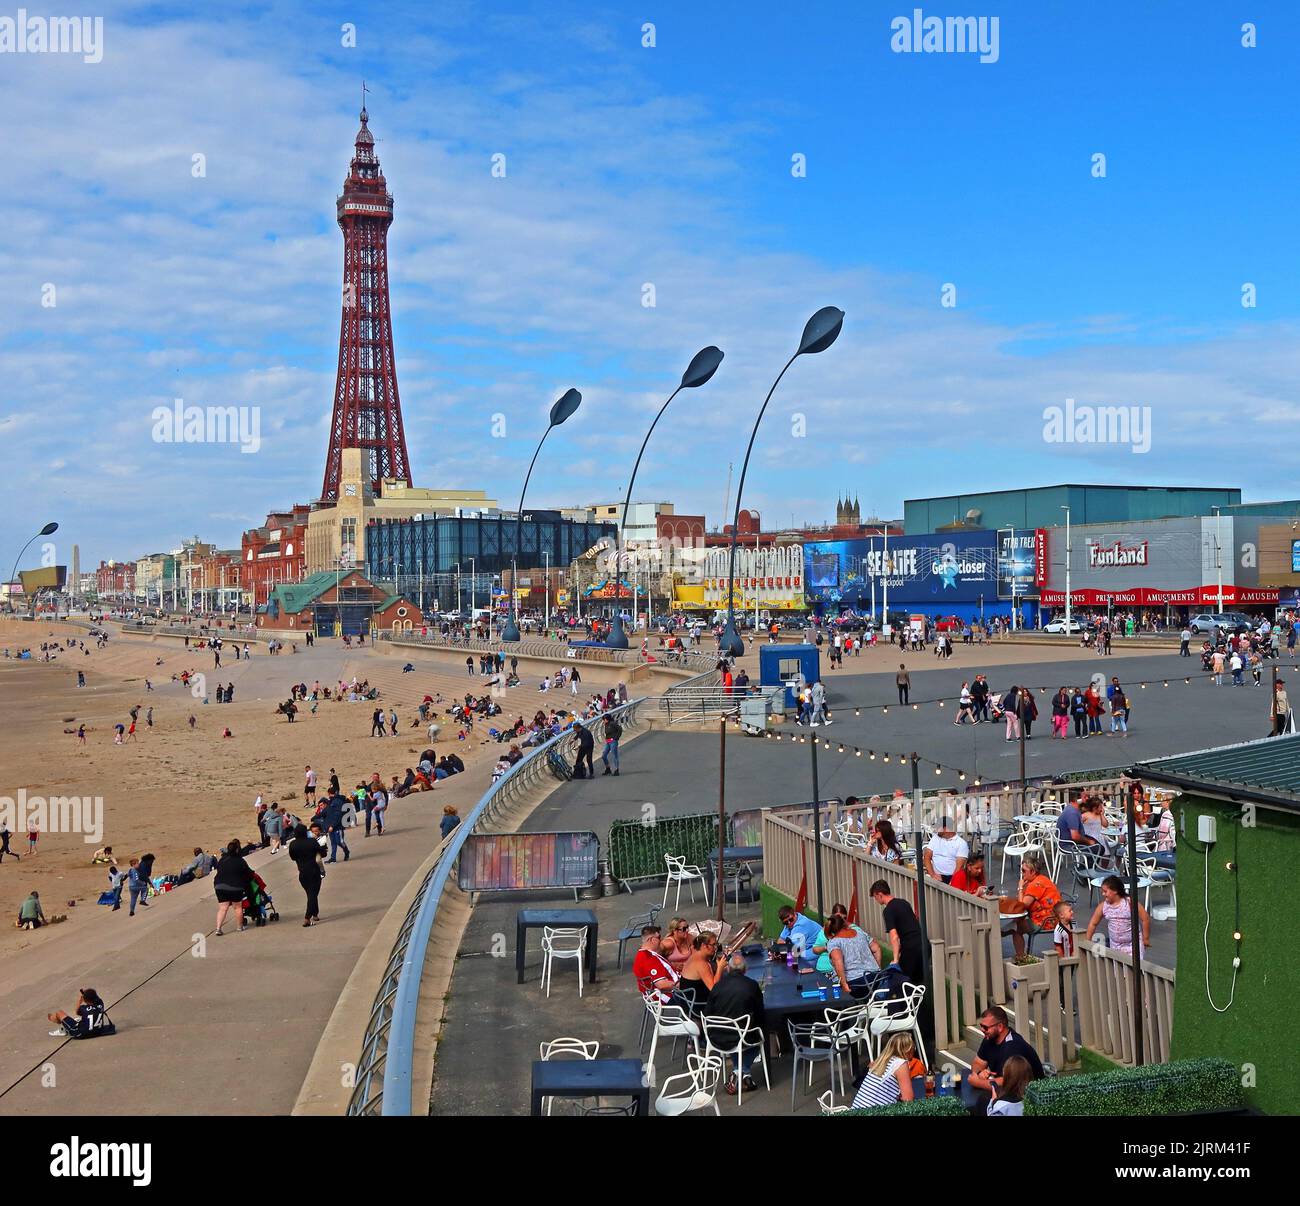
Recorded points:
(388,1051)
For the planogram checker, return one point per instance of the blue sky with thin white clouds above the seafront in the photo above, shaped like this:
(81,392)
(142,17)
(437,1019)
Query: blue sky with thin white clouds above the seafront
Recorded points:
(669,166)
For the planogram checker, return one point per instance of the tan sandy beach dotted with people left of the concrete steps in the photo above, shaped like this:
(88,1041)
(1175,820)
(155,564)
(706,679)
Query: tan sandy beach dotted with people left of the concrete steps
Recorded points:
(174,788)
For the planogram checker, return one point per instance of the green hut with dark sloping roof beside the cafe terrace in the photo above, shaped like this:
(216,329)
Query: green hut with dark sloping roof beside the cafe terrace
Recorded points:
(1251,793)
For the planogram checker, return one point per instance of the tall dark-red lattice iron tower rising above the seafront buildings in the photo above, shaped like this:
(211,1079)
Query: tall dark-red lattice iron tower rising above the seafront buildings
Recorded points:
(367,409)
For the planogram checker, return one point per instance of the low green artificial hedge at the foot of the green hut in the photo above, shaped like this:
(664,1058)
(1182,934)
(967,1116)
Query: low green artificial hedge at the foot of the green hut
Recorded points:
(1182,1087)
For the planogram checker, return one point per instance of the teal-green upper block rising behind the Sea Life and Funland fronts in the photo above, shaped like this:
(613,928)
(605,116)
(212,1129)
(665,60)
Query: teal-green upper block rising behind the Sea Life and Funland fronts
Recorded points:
(1041,507)
